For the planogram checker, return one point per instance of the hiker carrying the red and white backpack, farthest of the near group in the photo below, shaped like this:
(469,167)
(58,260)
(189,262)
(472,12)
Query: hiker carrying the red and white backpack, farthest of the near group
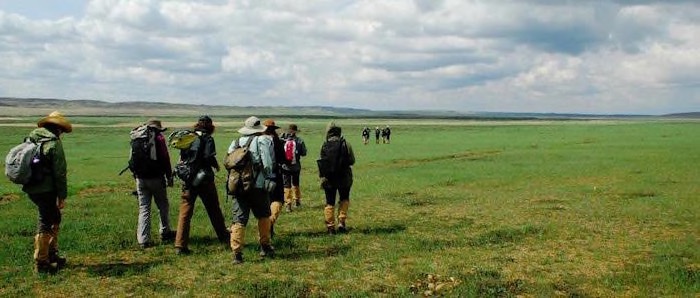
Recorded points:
(294,148)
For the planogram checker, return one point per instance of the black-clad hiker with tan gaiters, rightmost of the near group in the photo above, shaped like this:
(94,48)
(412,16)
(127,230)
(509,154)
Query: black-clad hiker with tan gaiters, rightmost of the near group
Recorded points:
(335,172)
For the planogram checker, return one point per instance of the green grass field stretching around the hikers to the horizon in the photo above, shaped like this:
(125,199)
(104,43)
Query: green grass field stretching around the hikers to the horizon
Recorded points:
(568,208)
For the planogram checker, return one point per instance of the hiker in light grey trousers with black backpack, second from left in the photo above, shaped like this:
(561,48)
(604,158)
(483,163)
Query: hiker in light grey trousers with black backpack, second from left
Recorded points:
(149,162)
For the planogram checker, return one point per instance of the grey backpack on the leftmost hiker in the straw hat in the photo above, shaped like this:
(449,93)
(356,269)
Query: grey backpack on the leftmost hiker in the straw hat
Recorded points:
(23,162)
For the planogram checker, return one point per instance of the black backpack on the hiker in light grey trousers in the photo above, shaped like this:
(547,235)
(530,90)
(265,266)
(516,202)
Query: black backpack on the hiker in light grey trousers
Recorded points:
(143,160)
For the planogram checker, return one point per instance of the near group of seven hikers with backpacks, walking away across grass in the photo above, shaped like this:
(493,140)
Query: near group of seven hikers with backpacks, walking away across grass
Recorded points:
(263,177)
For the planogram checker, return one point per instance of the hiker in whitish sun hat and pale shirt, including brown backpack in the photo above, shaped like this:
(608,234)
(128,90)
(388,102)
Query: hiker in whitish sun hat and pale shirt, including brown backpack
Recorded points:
(251,186)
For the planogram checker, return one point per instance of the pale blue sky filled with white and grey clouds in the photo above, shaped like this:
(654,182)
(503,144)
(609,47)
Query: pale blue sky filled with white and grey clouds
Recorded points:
(542,56)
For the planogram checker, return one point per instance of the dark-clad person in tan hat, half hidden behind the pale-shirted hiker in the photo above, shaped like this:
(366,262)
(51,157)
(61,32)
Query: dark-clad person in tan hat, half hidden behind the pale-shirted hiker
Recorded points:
(277,195)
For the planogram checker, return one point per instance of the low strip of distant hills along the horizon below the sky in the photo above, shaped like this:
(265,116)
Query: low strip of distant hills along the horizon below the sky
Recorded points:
(10,106)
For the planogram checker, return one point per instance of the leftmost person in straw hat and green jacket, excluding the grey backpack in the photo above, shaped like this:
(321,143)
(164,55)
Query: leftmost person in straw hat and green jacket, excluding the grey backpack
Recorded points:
(49,192)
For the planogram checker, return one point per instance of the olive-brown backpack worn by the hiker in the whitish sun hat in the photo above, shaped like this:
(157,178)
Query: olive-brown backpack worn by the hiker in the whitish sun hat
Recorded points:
(241,169)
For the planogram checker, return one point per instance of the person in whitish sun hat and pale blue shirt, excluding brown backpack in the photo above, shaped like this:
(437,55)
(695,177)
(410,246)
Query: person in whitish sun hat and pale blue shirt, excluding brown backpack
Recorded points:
(257,199)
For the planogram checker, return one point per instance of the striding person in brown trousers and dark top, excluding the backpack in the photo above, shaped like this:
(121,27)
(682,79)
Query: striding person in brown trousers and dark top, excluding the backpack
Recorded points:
(200,160)
